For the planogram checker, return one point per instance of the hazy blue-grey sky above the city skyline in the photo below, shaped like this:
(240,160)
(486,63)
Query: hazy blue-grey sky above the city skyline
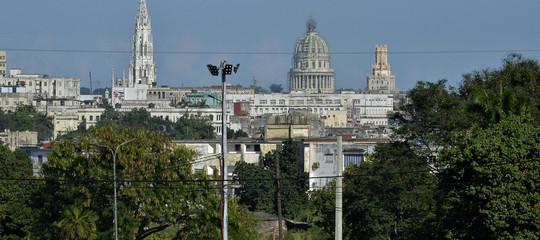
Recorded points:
(427,40)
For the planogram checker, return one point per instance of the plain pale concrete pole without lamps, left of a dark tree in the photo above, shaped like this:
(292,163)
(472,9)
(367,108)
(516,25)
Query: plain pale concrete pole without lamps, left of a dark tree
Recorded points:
(339,191)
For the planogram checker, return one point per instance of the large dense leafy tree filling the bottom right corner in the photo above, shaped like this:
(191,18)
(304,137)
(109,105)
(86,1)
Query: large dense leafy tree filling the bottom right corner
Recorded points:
(491,180)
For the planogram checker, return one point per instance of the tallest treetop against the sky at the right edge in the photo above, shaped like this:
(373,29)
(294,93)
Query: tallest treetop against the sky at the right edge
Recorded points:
(511,89)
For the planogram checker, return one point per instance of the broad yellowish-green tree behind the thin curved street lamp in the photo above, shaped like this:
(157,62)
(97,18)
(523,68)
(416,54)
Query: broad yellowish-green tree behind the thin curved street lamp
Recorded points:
(153,188)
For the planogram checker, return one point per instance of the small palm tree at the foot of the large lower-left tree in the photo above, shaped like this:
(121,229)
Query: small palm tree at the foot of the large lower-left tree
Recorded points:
(78,224)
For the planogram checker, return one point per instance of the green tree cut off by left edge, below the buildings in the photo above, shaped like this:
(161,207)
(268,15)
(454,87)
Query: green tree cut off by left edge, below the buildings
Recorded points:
(15,214)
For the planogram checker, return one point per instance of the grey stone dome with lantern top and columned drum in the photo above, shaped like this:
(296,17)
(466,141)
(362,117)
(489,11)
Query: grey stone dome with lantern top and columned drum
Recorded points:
(311,72)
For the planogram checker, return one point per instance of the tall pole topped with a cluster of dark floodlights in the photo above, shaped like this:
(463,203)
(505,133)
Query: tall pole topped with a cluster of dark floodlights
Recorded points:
(226,69)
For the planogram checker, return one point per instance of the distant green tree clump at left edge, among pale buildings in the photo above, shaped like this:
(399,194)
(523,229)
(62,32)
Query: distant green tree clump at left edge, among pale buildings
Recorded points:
(27,118)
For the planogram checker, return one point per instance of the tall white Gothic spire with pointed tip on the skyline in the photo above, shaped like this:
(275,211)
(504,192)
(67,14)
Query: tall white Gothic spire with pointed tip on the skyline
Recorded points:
(142,68)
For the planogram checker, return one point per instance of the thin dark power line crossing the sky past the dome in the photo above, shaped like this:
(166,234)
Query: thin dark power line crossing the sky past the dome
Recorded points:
(268,53)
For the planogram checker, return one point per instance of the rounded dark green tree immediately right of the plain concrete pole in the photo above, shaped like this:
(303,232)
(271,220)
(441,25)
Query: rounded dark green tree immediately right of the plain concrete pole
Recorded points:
(390,196)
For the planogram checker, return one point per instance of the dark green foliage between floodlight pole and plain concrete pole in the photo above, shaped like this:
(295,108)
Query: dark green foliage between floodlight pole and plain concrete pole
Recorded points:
(260,195)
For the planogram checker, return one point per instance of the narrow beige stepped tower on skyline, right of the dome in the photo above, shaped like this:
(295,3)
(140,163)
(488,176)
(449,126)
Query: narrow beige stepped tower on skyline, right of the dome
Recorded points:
(381,78)
